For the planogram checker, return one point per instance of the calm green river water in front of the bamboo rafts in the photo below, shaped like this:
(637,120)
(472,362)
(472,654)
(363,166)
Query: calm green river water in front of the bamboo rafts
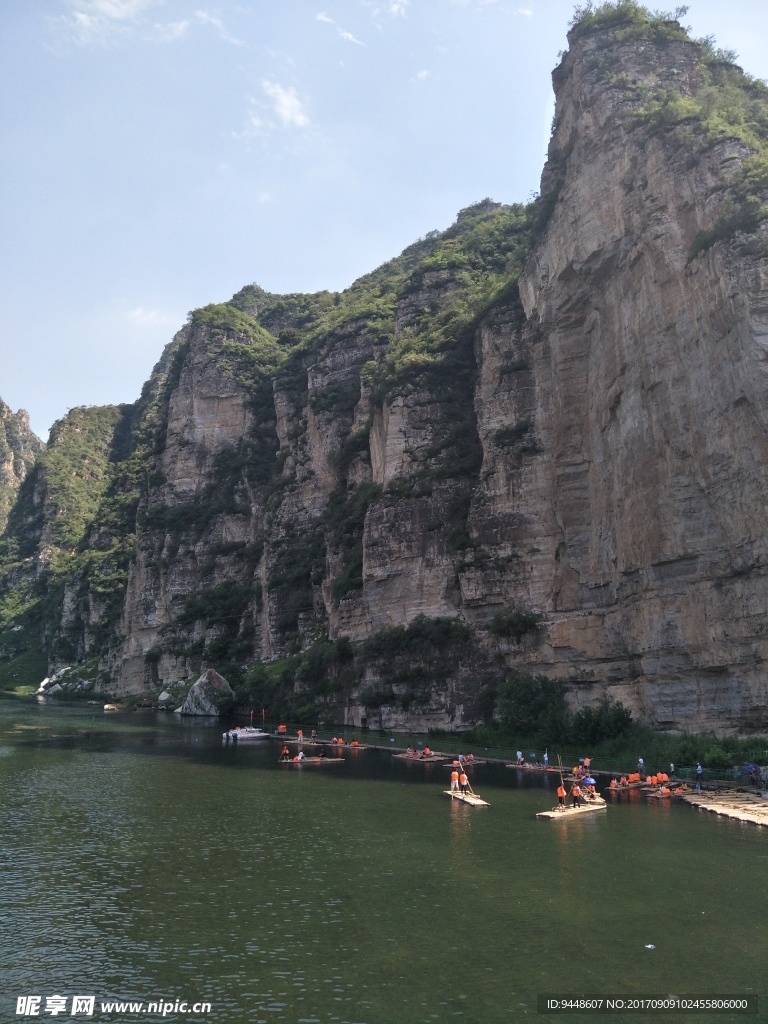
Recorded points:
(142,861)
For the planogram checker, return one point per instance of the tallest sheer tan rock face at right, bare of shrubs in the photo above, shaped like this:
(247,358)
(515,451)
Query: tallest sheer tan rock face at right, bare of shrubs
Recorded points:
(651,401)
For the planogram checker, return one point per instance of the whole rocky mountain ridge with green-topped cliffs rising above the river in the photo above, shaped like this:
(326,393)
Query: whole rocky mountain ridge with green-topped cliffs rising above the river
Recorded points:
(536,443)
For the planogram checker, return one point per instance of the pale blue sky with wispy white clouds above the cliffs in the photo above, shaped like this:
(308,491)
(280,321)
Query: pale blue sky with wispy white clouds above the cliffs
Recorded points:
(159,155)
